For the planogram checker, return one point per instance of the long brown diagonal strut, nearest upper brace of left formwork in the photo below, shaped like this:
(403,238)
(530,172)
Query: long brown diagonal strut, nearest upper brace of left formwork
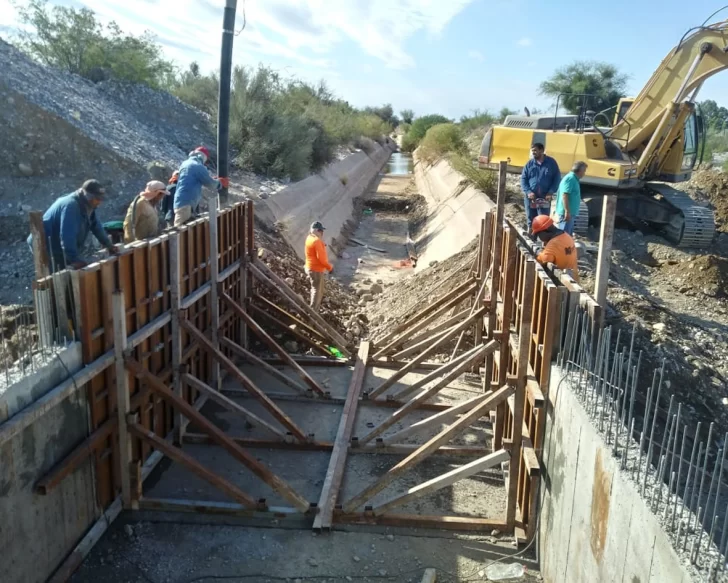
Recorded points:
(219,436)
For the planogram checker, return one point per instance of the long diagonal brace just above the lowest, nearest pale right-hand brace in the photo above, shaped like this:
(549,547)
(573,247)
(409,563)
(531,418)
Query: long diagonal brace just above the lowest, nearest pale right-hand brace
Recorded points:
(428,448)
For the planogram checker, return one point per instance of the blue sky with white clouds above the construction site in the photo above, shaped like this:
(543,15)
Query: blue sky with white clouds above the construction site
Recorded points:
(432,56)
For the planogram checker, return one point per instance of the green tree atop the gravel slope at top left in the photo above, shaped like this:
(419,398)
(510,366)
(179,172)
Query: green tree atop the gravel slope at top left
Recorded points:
(73,40)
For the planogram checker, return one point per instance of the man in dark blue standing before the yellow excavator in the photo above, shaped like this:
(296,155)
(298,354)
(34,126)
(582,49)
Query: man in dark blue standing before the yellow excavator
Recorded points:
(539,181)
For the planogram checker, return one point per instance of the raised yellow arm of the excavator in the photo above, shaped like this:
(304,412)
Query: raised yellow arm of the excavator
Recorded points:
(653,123)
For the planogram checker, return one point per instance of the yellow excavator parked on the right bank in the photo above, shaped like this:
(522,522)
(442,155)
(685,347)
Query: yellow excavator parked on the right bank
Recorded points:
(648,143)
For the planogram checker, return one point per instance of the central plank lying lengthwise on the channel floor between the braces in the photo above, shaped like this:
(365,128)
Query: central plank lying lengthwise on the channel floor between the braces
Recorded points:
(335,471)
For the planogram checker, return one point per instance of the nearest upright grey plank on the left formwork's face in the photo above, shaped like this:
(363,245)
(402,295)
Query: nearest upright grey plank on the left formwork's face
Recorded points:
(122,398)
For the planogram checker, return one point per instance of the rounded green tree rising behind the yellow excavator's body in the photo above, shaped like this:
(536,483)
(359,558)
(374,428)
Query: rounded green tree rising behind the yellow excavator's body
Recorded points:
(601,80)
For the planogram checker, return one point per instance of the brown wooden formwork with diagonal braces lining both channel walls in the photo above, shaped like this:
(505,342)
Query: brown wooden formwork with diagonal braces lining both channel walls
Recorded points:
(163,322)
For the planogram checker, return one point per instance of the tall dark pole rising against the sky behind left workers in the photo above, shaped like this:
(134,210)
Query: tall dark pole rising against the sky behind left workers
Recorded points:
(223,110)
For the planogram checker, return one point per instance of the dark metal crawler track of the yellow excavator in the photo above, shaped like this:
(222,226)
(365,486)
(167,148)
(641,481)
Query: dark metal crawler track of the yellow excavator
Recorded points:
(694,227)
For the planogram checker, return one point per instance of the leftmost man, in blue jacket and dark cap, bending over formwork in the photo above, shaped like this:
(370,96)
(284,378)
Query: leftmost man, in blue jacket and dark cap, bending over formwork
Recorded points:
(67,224)
